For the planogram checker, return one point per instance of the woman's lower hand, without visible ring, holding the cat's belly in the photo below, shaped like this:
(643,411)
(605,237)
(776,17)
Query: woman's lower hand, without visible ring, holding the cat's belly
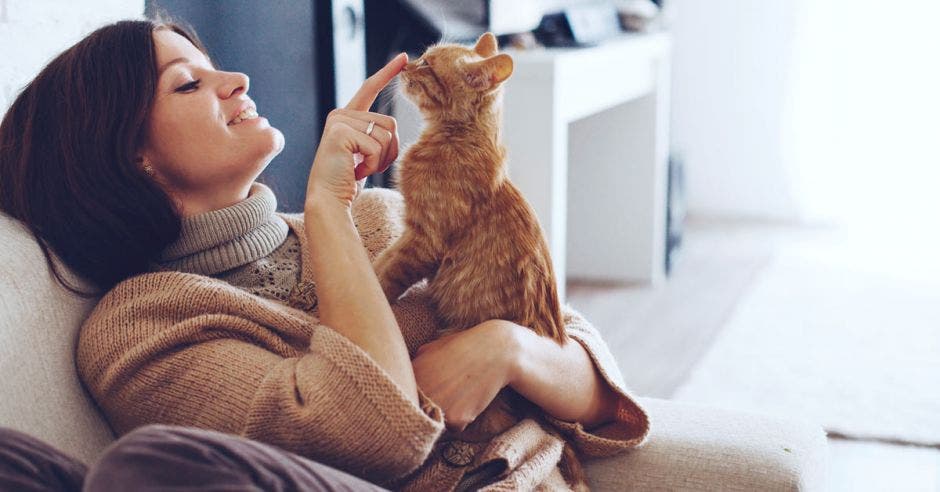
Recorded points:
(462,372)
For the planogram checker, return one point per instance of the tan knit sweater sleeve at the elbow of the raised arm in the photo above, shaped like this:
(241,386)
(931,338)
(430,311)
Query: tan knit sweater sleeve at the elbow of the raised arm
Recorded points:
(338,406)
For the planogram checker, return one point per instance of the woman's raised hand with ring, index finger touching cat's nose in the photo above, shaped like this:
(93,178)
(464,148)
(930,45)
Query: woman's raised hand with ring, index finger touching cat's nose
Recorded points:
(346,152)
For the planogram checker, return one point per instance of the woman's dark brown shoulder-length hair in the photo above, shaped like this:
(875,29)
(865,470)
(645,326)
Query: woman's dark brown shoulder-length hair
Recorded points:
(68,149)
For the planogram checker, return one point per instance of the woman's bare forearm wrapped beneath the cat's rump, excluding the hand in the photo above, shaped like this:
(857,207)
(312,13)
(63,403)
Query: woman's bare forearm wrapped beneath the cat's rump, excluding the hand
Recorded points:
(561,379)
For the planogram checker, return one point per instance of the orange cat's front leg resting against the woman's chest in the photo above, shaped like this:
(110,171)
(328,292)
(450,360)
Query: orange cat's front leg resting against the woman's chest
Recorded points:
(405,262)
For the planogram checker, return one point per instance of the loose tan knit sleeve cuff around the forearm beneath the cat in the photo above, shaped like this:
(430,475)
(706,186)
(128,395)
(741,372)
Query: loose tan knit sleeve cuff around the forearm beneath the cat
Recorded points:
(631,424)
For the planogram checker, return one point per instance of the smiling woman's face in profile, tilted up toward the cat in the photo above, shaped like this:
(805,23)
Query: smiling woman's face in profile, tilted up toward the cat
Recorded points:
(202,154)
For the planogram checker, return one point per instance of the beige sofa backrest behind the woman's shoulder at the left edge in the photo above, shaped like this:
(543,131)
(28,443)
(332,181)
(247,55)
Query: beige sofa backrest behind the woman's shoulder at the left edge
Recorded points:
(39,322)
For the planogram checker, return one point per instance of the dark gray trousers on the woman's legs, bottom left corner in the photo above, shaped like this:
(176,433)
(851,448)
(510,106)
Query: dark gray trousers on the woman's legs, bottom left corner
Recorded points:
(160,457)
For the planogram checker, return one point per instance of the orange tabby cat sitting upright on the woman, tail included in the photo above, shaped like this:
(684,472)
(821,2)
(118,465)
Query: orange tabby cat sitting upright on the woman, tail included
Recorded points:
(468,230)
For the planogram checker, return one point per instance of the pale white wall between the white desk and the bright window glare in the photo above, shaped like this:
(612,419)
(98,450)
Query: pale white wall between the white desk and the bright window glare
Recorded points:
(730,120)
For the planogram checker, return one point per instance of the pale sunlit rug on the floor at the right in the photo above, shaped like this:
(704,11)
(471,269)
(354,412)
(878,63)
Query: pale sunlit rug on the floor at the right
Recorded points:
(854,349)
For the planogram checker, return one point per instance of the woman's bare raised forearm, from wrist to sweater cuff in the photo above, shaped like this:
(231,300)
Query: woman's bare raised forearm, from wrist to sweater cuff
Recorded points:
(351,300)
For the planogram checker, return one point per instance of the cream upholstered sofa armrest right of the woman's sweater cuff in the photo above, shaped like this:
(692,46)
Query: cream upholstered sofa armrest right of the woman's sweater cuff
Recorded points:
(693,447)
